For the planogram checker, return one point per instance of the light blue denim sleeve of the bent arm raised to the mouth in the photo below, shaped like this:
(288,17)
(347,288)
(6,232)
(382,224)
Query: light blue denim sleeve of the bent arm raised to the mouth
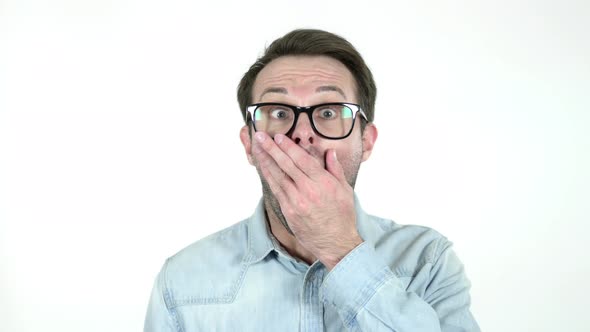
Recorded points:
(369,297)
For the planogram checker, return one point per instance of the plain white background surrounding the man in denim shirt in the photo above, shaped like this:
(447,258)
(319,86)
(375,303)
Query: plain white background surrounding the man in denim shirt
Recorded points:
(119,145)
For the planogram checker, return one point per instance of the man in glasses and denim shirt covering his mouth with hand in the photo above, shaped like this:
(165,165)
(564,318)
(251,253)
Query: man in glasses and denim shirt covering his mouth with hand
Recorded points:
(310,259)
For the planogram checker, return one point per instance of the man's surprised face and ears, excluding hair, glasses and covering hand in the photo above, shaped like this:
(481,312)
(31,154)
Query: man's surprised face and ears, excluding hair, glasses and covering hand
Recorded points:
(306,81)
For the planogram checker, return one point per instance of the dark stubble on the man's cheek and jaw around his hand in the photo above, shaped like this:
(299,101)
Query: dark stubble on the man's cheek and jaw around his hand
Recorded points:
(351,169)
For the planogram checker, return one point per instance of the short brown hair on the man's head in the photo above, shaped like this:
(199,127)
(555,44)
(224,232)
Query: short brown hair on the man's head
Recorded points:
(314,42)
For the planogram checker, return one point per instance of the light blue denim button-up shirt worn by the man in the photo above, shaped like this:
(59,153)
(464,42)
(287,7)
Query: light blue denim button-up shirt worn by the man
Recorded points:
(401,278)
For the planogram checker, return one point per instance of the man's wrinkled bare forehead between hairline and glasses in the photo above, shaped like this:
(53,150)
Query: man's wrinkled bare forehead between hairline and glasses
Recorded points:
(305,77)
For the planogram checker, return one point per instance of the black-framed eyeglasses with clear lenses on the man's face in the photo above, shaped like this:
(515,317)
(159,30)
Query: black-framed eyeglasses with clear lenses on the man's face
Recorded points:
(331,121)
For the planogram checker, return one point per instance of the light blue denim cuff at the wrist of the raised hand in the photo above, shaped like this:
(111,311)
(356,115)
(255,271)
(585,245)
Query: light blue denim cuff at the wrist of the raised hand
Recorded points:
(354,281)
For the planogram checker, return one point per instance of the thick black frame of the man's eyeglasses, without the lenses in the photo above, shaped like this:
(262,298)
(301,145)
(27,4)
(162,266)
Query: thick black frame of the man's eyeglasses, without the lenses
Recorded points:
(250,109)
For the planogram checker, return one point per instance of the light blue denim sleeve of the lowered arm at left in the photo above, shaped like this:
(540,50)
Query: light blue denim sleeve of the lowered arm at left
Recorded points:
(159,317)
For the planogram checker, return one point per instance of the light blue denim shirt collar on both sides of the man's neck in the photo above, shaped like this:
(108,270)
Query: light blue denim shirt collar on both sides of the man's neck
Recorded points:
(260,242)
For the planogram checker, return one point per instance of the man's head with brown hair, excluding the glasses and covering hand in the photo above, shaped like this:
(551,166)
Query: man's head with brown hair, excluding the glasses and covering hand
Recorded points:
(306,68)
